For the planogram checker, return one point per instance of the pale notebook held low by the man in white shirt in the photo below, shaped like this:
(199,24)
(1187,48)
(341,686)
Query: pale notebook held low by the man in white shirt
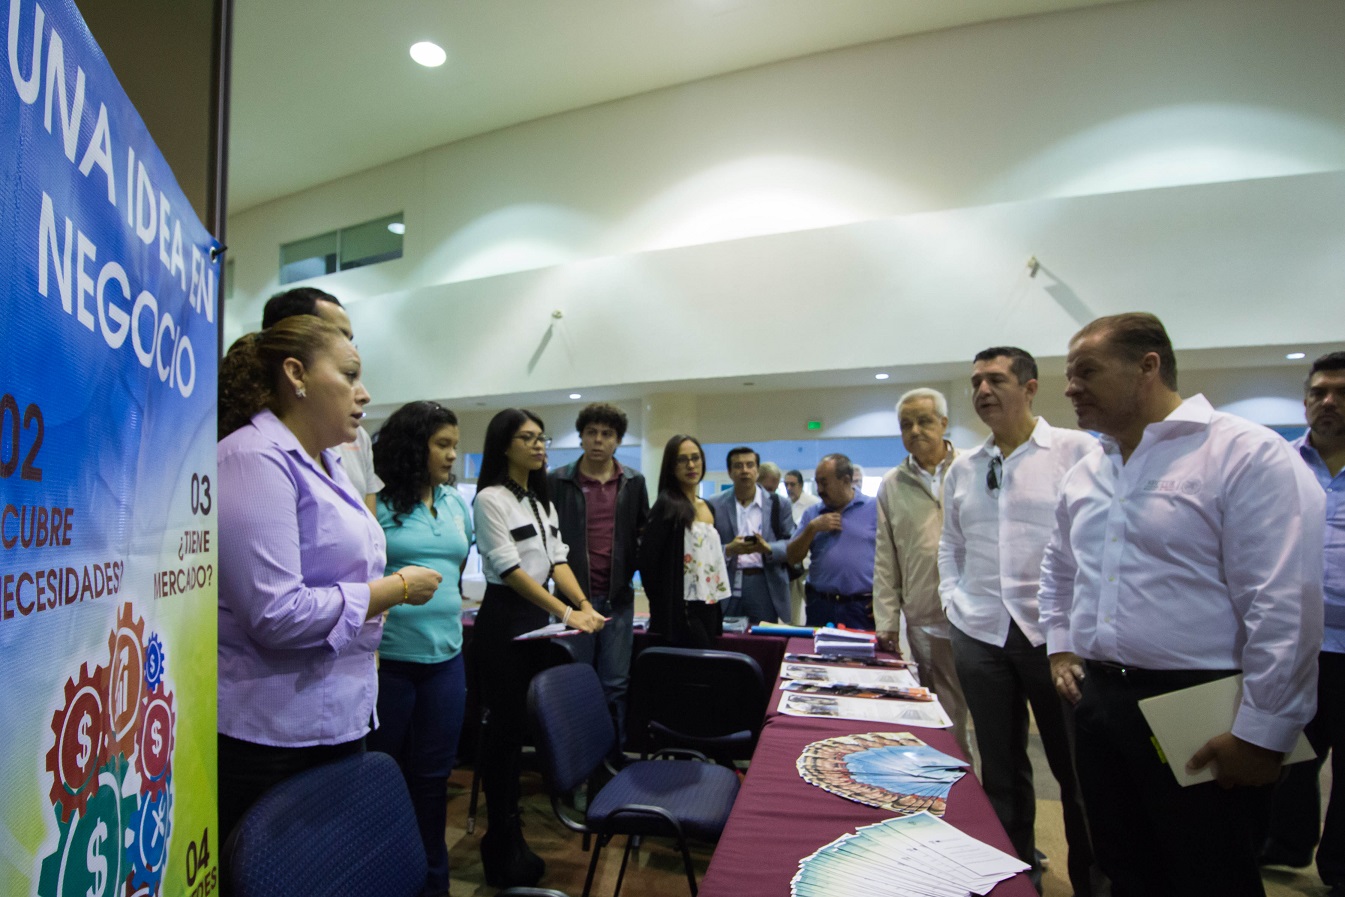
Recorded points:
(1183,721)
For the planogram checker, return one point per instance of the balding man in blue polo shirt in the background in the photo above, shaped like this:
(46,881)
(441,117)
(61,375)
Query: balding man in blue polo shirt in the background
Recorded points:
(840,533)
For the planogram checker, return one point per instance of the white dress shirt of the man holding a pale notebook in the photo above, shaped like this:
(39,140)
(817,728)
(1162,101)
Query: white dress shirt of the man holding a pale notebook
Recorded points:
(1203,552)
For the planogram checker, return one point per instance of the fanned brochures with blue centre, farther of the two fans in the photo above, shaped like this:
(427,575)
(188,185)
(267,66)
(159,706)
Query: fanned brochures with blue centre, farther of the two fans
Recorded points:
(887,770)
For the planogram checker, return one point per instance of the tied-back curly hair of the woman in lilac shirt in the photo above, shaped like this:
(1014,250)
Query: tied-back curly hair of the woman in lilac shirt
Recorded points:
(255,366)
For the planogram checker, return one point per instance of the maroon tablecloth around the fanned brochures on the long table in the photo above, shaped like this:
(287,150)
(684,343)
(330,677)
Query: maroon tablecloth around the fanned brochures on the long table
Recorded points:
(779,818)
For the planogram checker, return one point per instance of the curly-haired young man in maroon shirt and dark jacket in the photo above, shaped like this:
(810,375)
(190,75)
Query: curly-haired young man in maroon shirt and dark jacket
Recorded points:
(603,506)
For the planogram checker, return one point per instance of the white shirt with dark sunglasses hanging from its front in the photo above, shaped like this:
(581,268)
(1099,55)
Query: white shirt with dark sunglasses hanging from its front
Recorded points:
(992,544)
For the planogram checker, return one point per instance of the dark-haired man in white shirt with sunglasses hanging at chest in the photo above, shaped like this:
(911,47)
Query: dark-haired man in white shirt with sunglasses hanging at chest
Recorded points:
(1000,502)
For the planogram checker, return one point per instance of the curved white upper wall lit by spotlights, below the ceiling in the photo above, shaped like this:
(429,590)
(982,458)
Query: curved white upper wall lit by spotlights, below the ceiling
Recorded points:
(876,205)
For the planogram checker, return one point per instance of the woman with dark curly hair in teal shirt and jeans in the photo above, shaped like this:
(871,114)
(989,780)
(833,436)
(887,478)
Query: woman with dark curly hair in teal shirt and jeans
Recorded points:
(422,684)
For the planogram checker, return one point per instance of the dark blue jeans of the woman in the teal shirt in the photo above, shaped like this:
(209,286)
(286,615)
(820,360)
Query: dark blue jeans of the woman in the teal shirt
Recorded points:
(420,716)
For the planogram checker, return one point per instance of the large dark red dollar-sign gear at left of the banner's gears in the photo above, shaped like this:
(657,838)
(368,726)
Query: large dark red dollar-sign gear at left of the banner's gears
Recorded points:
(81,747)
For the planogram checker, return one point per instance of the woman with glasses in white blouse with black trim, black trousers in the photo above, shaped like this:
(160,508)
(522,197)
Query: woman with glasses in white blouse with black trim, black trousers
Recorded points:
(520,541)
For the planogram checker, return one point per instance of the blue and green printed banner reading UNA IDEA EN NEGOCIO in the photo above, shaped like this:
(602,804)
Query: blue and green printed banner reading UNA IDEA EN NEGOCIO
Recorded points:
(108,372)
